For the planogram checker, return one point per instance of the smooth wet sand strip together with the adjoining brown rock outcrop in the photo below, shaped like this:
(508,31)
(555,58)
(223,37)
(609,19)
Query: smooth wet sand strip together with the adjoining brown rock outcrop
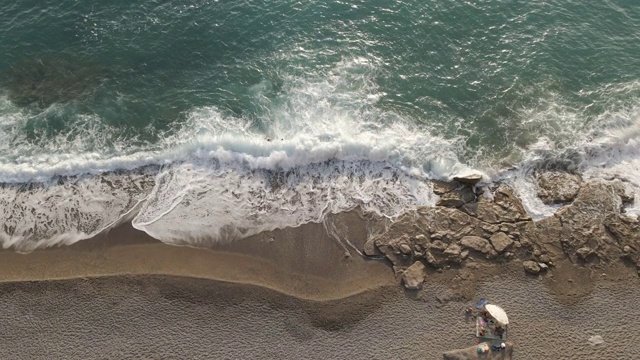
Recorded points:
(463,239)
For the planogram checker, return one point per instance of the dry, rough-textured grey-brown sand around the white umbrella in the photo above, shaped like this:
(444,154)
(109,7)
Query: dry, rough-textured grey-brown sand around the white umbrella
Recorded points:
(154,317)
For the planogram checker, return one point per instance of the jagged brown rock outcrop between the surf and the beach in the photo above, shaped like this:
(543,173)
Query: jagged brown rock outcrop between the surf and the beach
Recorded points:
(473,223)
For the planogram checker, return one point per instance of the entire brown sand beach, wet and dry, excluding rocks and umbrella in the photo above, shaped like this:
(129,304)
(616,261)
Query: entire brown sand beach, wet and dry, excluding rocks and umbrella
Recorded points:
(290,294)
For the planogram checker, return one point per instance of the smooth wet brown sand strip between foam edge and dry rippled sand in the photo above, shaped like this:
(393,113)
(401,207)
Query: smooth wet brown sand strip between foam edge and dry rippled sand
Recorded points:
(273,264)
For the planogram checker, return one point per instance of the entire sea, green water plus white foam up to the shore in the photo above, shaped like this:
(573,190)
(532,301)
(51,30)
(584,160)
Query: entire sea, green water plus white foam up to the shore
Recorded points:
(203,121)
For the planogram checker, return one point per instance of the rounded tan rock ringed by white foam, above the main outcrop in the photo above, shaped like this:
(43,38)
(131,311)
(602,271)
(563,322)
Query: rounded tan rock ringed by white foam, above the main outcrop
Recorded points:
(558,187)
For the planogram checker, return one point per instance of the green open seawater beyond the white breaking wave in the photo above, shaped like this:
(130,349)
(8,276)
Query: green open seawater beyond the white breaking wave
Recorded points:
(497,74)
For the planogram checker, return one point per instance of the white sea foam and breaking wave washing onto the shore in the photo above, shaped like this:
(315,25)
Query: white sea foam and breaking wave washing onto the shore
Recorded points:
(323,147)
